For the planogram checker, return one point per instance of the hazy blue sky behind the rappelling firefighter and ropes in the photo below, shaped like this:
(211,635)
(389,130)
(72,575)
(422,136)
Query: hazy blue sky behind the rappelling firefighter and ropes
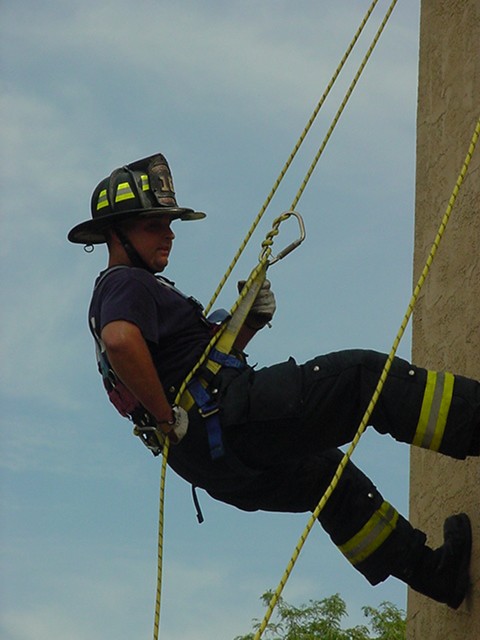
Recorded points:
(223,89)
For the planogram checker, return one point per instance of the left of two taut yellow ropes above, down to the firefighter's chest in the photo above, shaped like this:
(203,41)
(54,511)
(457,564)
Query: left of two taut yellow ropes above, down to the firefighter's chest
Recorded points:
(291,157)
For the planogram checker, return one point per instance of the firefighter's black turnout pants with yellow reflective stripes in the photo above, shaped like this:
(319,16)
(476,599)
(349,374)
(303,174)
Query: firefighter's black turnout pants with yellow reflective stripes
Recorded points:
(282,426)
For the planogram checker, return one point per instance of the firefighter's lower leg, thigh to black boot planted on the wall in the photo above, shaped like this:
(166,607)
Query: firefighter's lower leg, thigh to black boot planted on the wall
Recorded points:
(369,531)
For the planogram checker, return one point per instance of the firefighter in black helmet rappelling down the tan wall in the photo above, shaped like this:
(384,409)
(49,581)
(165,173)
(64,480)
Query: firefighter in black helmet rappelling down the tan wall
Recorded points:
(266,439)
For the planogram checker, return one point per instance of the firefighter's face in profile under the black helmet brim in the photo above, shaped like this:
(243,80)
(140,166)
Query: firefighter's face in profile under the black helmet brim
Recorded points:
(153,239)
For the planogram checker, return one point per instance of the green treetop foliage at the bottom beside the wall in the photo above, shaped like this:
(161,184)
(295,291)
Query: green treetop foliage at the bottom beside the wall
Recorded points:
(322,620)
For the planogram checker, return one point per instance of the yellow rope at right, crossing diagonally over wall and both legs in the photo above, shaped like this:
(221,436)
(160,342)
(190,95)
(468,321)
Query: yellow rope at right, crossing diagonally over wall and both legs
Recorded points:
(378,389)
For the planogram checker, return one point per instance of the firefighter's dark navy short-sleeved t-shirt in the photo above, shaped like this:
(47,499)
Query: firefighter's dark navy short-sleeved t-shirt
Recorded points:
(173,325)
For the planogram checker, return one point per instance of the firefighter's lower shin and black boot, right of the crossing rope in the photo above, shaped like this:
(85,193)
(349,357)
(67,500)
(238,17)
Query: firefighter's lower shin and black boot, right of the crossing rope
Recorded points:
(379,542)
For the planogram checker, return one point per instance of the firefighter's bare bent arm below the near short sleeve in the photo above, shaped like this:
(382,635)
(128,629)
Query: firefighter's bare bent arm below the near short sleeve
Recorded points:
(131,360)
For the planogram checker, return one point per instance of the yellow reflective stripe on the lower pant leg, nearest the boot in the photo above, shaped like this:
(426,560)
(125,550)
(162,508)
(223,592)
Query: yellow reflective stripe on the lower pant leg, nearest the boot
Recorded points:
(372,535)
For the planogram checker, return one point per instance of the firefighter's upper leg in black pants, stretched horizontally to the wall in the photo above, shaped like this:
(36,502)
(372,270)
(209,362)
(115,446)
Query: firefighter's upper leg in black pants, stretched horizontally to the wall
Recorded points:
(288,409)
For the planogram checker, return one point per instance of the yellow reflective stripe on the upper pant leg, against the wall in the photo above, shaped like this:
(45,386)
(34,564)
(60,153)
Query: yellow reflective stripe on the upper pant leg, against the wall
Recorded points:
(434,413)
